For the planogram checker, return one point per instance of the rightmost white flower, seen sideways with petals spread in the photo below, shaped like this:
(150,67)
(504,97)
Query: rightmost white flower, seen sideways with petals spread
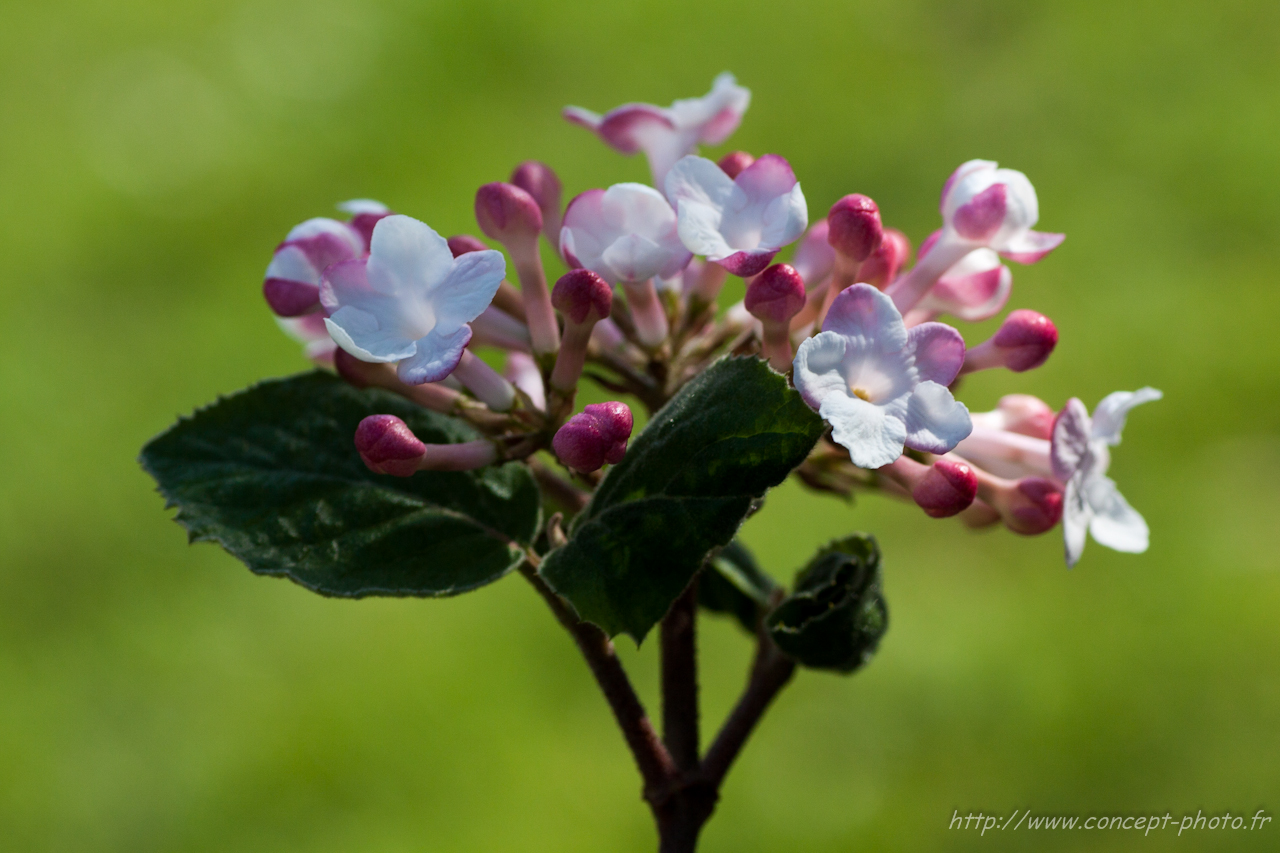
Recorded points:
(1081,457)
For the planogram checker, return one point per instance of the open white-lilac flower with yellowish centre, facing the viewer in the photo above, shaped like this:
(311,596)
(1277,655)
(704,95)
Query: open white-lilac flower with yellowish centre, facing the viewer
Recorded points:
(879,385)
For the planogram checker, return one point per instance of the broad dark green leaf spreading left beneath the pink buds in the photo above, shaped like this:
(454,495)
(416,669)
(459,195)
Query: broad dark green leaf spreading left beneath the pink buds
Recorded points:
(273,476)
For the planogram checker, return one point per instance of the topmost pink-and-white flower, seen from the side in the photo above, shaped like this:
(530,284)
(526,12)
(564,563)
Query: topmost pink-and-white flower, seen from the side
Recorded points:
(669,134)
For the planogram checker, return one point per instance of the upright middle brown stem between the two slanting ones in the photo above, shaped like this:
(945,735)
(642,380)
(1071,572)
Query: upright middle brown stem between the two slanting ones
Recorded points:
(680,679)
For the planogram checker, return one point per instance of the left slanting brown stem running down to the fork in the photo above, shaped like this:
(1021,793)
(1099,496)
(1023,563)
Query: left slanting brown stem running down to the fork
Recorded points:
(651,755)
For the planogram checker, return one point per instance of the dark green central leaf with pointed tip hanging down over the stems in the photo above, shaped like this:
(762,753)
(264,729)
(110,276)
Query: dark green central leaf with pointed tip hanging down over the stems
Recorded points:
(683,490)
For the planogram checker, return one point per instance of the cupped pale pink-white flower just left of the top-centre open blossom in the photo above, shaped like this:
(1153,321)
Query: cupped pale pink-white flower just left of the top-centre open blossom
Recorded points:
(625,234)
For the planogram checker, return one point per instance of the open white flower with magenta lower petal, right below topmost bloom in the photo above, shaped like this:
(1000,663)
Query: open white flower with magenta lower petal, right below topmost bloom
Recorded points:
(740,223)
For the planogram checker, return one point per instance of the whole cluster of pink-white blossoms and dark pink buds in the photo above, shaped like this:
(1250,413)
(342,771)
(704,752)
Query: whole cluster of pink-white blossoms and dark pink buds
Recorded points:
(391,303)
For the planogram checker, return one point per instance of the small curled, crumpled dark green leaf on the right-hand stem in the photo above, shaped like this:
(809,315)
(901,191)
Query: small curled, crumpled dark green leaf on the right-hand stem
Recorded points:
(838,615)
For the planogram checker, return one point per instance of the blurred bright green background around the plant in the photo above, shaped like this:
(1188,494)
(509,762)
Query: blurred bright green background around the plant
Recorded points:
(159,697)
